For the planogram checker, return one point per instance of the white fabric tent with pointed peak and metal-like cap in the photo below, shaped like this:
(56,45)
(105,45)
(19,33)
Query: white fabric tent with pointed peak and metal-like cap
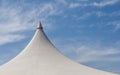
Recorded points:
(40,57)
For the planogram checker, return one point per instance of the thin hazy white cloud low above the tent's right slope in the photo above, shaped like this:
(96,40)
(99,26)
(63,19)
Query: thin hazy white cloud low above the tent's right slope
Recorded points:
(91,53)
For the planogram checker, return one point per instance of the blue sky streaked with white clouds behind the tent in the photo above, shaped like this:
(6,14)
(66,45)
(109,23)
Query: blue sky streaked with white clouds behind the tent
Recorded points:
(87,31)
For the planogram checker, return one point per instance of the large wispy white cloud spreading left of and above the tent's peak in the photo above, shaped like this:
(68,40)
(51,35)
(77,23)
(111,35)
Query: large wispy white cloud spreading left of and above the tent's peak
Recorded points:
(15,19)
